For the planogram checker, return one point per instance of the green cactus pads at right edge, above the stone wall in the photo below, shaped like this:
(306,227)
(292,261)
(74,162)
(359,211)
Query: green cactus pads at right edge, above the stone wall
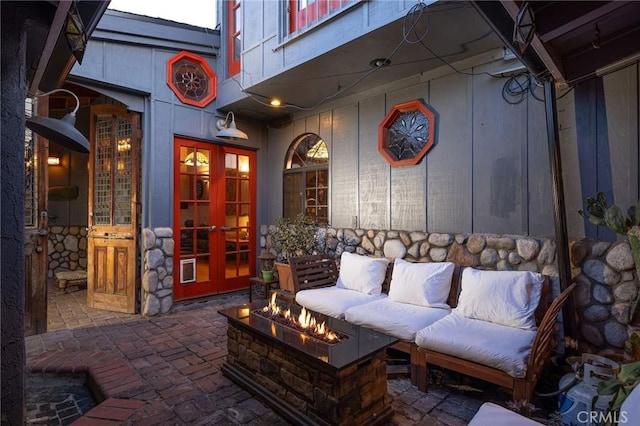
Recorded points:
(613,217)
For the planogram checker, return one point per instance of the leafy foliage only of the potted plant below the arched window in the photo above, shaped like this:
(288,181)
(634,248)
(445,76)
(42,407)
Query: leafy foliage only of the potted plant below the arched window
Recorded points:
(296,237)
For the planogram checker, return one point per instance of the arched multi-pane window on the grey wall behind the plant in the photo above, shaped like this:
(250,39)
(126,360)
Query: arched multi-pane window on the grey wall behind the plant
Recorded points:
(306,179)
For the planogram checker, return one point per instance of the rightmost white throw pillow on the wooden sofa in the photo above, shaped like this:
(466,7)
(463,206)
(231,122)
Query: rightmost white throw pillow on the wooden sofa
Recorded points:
(503,297)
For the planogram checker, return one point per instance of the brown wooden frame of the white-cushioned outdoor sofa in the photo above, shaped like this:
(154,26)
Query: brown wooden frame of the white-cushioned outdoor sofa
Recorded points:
(317,271)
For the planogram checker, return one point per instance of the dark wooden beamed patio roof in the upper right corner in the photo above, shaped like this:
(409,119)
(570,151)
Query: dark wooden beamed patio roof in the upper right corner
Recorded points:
(574,40)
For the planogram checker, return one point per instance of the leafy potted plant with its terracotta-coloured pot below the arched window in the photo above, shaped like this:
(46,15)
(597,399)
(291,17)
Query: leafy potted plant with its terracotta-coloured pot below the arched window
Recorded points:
(293,237)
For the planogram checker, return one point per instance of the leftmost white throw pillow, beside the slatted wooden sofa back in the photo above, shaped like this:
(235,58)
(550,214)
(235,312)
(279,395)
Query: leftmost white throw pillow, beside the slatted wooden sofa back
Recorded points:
(362,273)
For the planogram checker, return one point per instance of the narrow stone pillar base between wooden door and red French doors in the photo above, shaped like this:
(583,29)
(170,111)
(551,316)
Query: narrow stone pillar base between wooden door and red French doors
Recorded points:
(157,276)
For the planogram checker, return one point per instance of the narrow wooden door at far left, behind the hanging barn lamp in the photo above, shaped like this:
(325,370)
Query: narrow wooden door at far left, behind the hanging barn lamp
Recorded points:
(36,227)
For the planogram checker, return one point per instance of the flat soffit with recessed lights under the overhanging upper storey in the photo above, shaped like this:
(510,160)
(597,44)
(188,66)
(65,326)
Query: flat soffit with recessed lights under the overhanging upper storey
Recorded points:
(456,32)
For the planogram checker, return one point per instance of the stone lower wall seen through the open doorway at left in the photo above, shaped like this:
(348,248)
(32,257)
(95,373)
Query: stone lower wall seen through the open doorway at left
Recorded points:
(67,249)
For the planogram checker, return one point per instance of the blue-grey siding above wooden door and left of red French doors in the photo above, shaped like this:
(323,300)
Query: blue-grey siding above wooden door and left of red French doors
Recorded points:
(141,48)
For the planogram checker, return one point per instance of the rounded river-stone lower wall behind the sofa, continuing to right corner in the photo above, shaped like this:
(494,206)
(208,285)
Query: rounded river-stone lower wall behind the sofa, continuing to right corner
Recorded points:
(604,271)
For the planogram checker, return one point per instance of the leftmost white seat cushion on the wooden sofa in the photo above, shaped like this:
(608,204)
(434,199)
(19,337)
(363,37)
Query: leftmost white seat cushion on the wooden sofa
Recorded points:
(333,301)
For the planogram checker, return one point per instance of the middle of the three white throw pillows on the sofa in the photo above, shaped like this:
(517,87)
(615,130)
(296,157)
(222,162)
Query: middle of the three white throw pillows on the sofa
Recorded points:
(423,284)
